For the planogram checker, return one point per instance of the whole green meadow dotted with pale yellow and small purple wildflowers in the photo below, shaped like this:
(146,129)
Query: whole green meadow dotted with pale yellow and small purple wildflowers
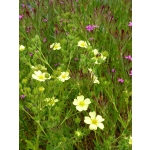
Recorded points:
(75,75)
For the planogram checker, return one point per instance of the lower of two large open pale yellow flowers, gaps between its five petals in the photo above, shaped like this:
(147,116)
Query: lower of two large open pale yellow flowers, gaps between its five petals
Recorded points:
(94,121)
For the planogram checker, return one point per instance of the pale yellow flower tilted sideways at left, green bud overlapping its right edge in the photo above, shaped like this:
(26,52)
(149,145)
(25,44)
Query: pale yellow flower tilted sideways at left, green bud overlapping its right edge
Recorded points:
(38,75)
